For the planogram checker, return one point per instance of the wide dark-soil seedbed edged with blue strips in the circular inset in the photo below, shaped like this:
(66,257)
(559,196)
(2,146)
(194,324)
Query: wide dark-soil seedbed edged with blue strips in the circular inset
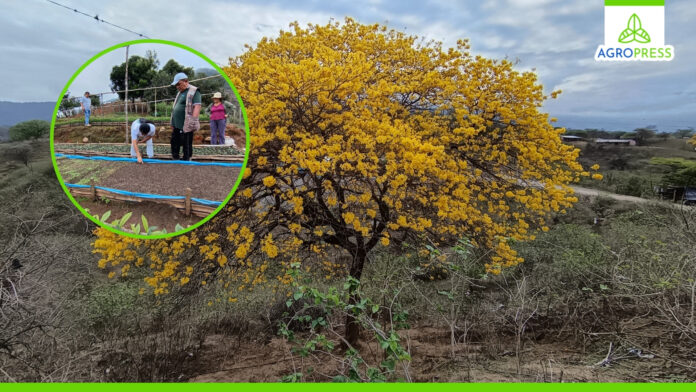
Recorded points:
(207,182)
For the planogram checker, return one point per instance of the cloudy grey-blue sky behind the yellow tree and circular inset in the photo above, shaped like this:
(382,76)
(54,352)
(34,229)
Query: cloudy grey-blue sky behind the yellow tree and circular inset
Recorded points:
(45,44)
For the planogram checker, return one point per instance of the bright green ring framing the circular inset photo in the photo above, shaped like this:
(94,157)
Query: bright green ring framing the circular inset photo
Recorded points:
(246,147)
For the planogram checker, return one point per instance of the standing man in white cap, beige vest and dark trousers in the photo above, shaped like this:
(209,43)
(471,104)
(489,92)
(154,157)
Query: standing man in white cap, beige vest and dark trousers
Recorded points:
(185,112)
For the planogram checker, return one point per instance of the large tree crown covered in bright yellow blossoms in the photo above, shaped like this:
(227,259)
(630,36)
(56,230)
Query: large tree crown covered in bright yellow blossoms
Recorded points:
(363,136)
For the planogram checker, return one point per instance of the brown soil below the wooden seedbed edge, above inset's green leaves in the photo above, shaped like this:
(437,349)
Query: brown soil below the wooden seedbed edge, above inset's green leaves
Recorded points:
(157,214)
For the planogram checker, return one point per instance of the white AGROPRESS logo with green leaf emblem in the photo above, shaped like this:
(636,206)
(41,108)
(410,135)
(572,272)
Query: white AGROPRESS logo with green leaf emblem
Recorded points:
(634,30)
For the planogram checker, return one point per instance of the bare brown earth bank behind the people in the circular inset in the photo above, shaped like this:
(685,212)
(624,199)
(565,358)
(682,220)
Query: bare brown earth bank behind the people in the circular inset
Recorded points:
(97,133)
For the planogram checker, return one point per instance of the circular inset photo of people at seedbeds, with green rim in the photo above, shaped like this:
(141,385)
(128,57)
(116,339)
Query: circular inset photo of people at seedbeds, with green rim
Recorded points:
(149,139)
